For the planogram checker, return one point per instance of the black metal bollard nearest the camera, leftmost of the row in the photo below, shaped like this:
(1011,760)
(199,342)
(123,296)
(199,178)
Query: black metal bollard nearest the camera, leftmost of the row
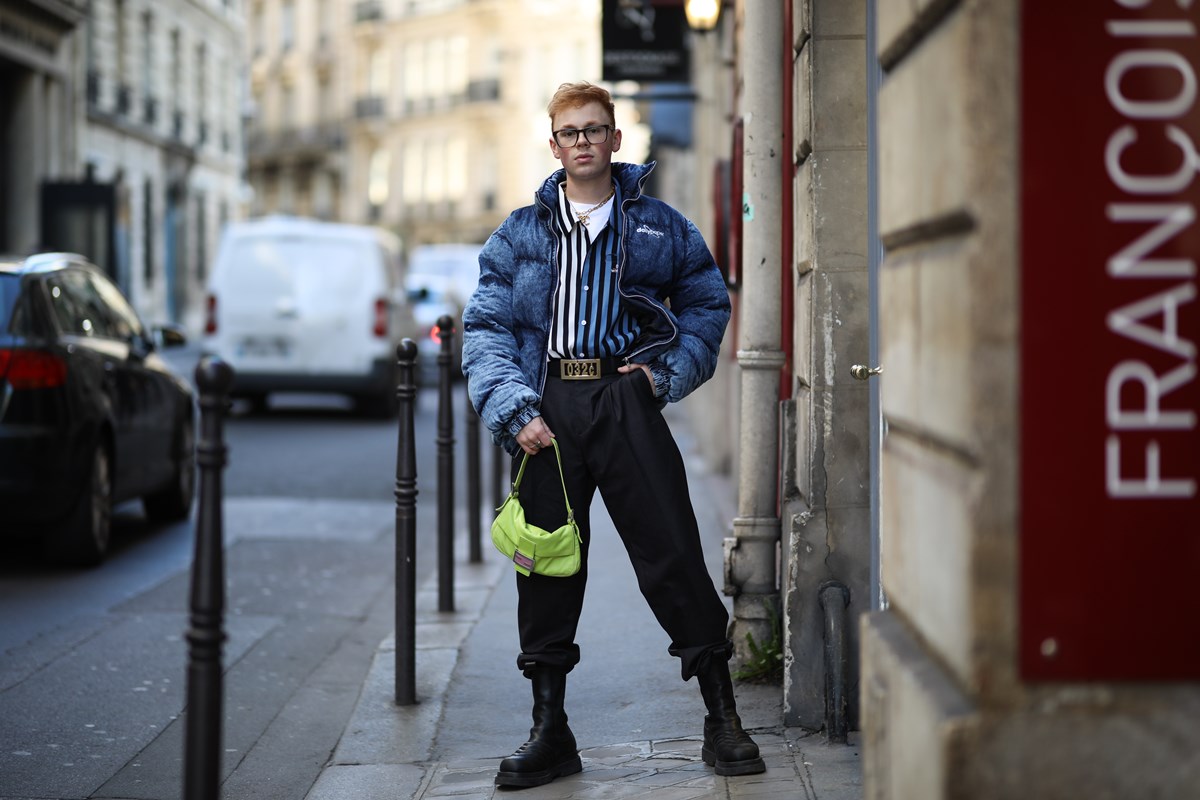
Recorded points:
(206,637)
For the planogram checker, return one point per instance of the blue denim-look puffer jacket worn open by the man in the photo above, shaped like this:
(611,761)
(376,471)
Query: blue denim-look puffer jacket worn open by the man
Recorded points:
(664,261)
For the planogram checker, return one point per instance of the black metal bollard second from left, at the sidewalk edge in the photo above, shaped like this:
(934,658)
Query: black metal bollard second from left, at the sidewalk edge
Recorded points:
(406,530)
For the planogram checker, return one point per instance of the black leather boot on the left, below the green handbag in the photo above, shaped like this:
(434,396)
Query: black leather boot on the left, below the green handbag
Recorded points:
(551,751)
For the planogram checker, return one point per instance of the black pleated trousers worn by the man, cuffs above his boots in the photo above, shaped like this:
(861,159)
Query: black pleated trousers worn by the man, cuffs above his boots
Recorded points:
(614,438)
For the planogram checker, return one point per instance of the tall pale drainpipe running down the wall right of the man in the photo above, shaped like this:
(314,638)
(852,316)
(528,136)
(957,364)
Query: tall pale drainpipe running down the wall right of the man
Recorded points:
(752,555)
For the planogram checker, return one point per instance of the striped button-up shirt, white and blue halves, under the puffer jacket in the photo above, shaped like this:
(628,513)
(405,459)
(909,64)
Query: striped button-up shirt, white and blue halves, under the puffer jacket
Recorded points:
(589,320)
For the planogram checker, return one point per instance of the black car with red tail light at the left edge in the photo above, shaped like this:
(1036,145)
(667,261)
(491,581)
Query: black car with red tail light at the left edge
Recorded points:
(91,414)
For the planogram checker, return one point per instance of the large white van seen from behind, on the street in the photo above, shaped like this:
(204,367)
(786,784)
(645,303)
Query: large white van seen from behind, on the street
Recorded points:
(301,305)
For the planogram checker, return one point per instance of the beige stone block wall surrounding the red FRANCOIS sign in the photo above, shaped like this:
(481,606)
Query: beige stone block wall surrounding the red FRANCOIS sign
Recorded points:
(945,713)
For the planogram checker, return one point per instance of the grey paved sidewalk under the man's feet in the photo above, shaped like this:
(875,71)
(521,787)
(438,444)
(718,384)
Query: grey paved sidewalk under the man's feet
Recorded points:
(638,725)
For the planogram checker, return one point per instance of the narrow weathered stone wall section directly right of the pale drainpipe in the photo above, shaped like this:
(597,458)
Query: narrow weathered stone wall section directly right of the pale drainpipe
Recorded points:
(826,486)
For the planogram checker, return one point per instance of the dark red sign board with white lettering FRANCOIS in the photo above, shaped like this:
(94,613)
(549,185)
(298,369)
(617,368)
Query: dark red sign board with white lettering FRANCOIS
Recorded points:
(1111,329)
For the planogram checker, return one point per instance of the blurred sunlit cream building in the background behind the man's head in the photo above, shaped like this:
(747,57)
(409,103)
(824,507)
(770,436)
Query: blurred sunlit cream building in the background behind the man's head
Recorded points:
(425,117)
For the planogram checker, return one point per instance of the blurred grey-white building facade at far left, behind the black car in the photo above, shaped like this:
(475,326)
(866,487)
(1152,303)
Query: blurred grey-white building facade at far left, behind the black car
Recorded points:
(127,140)
